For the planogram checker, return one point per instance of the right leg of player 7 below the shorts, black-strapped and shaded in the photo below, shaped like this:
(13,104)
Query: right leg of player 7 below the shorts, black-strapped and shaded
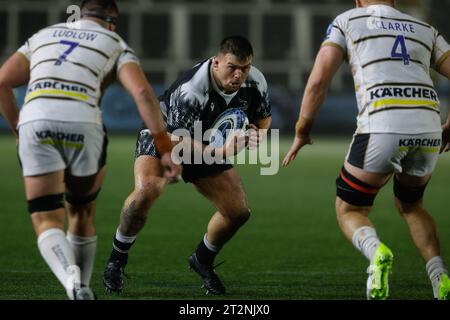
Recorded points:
(81,193)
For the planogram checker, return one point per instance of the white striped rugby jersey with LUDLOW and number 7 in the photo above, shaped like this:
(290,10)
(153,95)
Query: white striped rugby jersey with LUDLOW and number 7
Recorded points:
(69,68)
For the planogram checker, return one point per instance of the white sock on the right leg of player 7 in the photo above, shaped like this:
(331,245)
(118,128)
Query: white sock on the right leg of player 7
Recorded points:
(84,250)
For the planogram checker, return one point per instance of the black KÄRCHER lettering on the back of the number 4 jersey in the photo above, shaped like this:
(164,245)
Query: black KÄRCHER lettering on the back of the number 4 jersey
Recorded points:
(404,92)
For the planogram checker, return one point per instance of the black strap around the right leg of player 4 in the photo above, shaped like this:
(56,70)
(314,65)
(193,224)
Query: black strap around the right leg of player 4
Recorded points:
(408,199)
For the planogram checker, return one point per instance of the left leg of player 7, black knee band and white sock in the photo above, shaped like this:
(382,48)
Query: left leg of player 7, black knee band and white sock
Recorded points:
(45,200)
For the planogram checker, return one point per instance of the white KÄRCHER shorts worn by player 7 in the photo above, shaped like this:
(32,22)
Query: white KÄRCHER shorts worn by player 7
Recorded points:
(47,146)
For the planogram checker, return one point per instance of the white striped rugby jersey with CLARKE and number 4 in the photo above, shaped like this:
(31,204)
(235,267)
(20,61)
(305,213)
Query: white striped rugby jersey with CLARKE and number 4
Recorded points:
(390,54)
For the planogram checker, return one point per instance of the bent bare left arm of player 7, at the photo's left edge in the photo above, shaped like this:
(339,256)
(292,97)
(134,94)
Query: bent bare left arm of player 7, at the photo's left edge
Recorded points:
(14,72)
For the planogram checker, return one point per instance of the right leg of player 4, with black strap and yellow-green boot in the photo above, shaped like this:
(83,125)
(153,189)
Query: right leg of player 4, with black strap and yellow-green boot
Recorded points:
(423,232)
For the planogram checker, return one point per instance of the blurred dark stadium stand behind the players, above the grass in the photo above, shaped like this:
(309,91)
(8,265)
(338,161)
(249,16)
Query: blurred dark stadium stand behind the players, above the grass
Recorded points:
(171,36)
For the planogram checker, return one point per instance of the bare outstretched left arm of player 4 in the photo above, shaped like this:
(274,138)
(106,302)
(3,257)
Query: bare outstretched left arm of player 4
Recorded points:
(328,61)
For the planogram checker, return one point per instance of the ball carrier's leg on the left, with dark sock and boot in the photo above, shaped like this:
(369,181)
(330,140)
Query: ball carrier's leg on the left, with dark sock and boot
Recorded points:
(149,184)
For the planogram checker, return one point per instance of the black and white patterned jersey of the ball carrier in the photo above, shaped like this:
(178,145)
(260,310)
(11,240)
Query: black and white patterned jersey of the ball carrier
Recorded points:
(194,98)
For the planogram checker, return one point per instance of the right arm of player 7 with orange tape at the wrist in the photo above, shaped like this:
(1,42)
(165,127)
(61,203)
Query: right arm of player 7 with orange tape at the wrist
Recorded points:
(133,79)
